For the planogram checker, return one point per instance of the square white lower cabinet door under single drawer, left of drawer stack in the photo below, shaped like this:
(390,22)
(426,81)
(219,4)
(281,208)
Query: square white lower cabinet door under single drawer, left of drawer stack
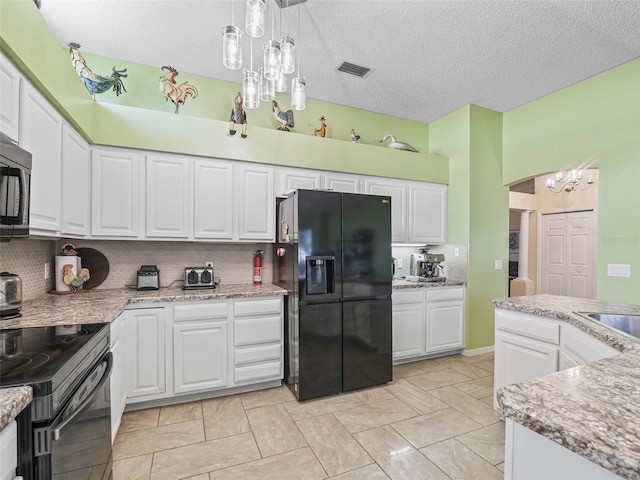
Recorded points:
(200,356)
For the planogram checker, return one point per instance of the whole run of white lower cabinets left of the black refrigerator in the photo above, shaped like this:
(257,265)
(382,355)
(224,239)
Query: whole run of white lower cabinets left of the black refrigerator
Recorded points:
(197,347)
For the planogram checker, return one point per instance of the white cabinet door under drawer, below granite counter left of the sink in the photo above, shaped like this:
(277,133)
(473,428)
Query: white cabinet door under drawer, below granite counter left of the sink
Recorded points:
(518,359)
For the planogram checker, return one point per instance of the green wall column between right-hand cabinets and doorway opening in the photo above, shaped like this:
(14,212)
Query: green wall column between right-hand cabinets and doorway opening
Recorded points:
(478,207)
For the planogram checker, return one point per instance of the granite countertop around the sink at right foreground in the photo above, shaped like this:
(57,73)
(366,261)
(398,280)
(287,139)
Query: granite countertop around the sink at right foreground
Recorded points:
(594,409)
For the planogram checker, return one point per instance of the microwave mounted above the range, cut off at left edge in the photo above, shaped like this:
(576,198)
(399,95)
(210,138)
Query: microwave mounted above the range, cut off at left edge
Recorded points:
(15,183)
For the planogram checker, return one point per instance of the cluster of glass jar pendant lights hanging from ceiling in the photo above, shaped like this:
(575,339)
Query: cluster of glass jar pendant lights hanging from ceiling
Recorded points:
(279,57)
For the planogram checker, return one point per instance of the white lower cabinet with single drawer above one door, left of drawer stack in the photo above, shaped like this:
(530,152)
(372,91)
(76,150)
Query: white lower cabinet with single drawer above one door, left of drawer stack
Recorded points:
(200,346)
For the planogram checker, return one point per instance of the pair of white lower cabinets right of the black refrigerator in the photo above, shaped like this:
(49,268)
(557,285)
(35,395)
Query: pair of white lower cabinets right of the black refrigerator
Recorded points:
(427,321)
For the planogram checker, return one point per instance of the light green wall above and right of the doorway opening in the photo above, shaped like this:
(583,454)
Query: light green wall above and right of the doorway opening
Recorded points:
(595,123)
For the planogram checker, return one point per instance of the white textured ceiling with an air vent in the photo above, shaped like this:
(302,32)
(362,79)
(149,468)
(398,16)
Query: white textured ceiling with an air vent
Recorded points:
(429,57)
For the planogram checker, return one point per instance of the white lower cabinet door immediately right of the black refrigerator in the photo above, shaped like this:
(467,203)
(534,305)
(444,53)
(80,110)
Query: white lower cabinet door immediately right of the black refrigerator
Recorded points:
(408,330)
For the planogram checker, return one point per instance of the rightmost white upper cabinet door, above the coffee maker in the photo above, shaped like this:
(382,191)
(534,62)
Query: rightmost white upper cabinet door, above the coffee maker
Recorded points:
(427,213)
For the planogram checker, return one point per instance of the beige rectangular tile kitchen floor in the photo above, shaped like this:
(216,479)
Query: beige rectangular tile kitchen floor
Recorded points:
(434,421)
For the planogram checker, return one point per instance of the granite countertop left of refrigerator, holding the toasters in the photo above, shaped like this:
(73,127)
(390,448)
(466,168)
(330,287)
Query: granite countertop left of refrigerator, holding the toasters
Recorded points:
(103,306)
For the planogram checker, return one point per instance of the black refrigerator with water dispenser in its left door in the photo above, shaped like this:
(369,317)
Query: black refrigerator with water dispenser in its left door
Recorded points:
(334,258)
